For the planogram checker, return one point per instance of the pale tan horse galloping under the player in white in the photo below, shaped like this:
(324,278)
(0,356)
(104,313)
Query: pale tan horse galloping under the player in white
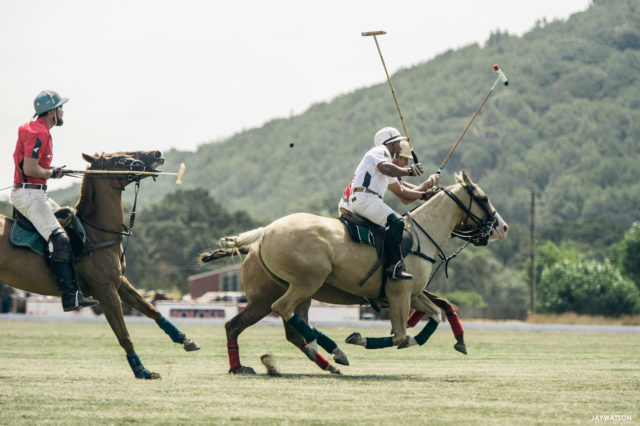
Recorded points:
(314,257)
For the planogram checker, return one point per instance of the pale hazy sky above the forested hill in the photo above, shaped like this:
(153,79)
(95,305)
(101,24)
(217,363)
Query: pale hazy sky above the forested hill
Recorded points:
(155,74)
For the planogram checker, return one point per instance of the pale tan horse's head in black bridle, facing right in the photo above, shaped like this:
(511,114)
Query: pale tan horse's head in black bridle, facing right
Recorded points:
(482,222)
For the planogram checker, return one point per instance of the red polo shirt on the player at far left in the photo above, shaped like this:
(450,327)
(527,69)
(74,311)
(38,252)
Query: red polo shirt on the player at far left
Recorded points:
(34,140)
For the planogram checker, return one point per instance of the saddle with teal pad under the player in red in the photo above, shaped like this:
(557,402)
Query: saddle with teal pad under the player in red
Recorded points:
(24,234)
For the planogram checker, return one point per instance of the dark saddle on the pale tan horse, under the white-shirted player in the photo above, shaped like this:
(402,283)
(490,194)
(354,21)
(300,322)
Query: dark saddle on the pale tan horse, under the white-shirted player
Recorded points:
(364,231)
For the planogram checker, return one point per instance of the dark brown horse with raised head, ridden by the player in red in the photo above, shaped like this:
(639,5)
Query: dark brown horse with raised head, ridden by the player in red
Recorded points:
(100,274)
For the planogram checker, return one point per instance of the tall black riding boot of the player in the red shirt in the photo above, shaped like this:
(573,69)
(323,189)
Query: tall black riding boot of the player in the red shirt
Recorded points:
(72,298)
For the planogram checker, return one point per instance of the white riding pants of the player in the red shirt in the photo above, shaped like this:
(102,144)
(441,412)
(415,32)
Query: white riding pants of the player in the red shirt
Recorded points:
(36,206)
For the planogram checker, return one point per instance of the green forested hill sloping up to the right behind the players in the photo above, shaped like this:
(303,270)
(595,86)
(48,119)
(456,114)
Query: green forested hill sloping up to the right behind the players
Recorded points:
(567,126)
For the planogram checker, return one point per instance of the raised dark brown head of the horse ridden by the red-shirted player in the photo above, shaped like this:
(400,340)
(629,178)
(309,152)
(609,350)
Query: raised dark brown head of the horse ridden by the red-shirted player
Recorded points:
(132,161)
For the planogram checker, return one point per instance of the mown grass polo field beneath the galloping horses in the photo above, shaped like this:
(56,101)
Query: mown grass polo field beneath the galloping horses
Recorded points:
(66,373)
